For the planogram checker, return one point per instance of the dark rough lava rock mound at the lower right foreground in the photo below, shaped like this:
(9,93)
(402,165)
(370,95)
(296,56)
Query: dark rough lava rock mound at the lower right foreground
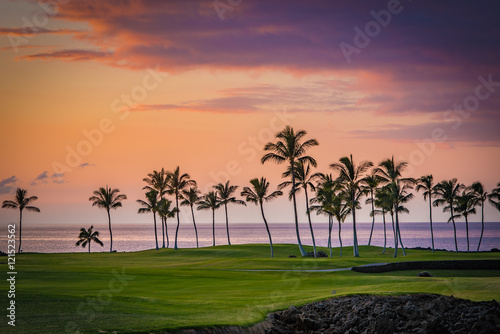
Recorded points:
(363,314)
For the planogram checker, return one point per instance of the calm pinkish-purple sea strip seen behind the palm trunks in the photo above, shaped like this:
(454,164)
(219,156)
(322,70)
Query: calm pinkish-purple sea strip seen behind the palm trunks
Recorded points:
(129,237)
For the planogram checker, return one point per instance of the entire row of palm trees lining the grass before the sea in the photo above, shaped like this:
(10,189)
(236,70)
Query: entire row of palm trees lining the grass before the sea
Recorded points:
(385,189)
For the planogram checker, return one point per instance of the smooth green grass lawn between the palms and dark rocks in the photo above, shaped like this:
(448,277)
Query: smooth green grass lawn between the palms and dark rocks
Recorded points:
(205,287)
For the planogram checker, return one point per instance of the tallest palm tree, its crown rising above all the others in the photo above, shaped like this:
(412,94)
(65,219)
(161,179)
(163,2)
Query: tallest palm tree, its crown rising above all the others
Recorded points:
(290,149)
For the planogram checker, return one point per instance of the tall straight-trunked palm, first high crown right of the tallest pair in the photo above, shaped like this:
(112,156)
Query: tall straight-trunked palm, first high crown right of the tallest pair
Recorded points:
(350,176)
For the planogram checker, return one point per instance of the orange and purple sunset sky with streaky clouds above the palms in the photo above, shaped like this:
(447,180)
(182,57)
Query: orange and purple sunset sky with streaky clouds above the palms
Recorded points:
(99,93)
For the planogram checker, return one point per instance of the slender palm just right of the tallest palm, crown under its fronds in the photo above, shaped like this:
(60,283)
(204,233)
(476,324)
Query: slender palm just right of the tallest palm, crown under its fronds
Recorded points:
(304,180)
